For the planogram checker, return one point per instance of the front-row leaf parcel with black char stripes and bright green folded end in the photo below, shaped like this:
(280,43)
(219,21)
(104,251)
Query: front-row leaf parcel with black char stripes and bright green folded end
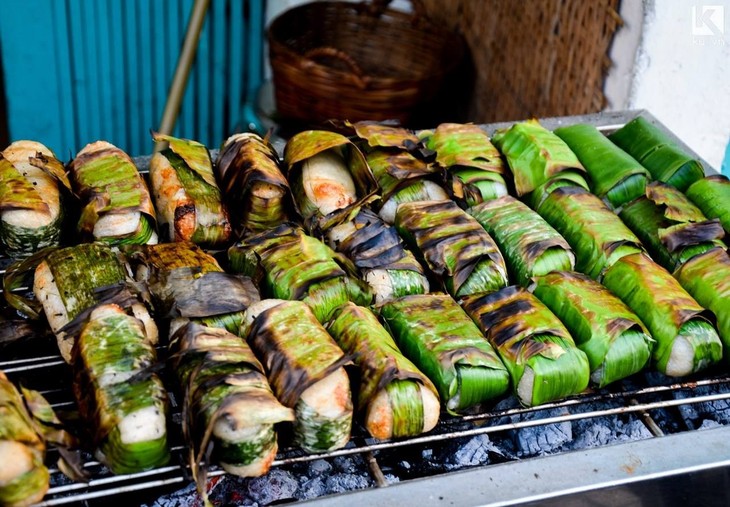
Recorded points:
(539,353)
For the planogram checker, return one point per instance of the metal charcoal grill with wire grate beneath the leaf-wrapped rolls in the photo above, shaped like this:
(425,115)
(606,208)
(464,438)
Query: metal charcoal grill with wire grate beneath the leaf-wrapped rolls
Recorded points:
(676,459)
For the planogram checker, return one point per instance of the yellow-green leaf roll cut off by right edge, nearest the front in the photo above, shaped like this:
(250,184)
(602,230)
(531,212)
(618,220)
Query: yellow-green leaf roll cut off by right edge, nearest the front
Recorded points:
(707,278)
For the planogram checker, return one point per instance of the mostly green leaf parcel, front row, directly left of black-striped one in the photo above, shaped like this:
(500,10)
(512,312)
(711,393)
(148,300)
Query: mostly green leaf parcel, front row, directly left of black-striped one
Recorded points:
(434,332)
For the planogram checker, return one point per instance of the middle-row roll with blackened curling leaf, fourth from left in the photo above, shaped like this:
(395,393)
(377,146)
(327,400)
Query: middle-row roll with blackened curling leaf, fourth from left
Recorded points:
(377,251)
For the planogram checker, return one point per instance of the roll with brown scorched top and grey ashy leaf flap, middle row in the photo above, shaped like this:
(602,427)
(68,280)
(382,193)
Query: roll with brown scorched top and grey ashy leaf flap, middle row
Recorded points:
(185,281)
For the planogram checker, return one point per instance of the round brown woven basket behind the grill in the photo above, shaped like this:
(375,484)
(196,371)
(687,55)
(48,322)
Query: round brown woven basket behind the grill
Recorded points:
(357,61)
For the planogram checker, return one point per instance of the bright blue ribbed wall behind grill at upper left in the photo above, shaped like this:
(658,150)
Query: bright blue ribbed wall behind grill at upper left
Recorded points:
(81,70)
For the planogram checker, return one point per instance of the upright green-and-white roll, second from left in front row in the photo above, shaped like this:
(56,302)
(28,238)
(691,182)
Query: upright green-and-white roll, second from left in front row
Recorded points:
(125,404)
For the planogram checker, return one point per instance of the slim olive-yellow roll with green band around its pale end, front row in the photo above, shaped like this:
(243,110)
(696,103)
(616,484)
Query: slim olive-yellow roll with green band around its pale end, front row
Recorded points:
(382,368)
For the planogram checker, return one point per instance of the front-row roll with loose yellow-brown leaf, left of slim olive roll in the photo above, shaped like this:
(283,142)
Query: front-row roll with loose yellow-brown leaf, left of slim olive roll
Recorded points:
(304,366)
